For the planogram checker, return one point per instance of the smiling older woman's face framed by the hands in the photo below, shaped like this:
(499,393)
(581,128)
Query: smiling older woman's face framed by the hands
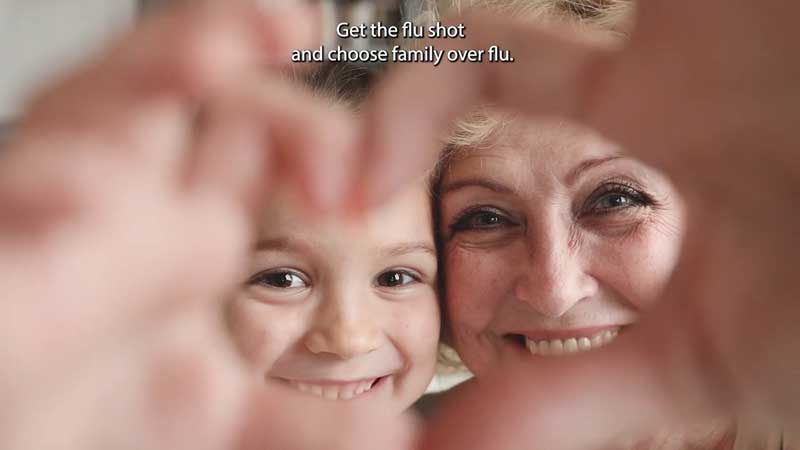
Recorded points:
(554,241)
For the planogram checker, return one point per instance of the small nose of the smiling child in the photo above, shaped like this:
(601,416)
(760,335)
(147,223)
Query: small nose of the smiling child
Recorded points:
(343,329)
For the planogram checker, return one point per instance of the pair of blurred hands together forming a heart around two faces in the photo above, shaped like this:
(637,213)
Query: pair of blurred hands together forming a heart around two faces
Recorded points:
(112,140)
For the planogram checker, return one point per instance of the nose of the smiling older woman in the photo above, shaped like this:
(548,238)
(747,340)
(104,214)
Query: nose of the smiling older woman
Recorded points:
(554,280)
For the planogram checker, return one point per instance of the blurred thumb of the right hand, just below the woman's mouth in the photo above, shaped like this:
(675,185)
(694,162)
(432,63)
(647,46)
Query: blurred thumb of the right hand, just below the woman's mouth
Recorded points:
(612,398)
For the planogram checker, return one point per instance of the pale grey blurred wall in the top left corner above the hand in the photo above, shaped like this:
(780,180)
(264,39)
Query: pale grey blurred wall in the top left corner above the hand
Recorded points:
(40,39)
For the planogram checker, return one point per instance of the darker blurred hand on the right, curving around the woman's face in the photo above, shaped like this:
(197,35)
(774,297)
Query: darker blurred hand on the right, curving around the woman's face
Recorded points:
(708,92)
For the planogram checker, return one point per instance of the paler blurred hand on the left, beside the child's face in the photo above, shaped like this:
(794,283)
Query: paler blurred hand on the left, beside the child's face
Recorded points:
(125,198)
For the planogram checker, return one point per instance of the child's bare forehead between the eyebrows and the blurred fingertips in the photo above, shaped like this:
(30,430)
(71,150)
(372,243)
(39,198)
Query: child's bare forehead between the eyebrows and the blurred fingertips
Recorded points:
(403,217)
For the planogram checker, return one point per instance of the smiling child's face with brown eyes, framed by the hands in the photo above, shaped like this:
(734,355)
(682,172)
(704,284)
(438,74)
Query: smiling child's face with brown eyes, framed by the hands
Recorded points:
(344,308)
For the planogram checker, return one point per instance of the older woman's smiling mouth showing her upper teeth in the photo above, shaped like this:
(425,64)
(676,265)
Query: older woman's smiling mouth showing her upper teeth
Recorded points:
(561,342)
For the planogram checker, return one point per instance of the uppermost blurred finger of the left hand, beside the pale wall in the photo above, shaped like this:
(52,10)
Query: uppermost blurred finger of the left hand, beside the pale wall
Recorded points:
(196,50)
